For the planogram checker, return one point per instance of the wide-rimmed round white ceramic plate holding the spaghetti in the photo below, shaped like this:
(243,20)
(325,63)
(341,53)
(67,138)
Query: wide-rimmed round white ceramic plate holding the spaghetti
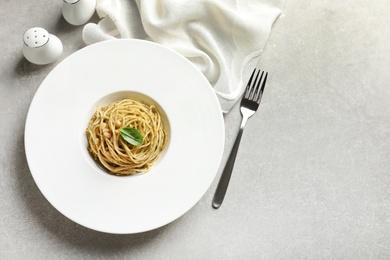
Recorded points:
(56,145)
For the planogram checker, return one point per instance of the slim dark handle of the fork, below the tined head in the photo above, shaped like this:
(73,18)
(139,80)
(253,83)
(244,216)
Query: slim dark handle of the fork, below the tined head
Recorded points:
(227,171)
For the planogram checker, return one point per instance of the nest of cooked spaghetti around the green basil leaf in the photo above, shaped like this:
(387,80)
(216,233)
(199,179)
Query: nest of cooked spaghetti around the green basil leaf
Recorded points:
(117,155)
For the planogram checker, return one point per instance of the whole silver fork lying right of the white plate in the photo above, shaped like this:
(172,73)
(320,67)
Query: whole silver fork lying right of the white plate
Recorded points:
(249,104)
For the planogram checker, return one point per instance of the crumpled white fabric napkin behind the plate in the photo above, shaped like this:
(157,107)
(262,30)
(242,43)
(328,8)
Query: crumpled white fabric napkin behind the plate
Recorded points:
(223,38)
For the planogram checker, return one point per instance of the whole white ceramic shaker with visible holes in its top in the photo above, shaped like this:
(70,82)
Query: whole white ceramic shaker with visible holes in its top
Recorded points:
(41,47)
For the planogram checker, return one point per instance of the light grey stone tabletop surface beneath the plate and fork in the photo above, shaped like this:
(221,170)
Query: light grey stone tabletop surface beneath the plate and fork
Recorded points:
(312,177)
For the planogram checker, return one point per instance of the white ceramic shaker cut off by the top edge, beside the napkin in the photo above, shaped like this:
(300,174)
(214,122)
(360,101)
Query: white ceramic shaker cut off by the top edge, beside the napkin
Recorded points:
(78,12)
